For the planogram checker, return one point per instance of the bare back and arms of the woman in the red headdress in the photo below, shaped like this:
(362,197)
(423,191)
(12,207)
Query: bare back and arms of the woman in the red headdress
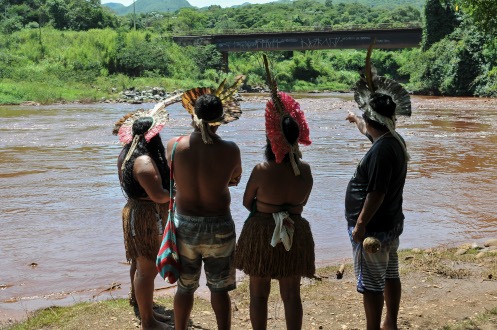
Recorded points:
(276,188)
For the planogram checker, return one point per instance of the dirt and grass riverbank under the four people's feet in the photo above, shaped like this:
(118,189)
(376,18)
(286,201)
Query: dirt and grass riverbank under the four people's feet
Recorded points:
(443,288)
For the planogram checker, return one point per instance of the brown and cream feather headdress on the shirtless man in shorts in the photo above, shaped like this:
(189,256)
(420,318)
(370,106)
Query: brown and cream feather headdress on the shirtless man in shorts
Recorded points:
(231,107)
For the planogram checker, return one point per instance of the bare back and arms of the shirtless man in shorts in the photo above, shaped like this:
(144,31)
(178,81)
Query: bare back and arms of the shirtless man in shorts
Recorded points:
(203,173)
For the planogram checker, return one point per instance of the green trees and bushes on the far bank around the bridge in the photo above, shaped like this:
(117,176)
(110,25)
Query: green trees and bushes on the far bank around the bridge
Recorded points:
(78,50)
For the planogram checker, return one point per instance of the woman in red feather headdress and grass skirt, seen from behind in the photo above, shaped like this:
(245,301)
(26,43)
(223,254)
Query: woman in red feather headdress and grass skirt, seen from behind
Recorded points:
(276,241)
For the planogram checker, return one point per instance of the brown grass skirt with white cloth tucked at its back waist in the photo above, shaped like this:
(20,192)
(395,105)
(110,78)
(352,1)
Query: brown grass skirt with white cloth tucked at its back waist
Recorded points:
(255,256)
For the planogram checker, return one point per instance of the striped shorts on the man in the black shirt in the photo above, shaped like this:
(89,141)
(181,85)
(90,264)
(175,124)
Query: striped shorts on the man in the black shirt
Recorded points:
(372,269)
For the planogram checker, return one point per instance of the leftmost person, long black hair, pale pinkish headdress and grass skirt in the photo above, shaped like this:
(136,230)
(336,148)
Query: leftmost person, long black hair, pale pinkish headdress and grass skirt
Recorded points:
(144,177)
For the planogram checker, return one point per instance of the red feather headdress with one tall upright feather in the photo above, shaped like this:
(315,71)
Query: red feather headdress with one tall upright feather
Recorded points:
(278,108)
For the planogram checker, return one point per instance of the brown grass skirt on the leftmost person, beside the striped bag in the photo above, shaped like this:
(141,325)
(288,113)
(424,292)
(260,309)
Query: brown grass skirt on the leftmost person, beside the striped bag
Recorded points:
(146,239)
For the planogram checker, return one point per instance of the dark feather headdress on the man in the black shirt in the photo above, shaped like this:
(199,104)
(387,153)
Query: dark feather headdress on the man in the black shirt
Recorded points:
(370,85)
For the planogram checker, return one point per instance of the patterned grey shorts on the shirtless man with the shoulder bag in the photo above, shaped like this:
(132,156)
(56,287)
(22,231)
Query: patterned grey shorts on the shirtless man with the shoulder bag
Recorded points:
(211,240)
